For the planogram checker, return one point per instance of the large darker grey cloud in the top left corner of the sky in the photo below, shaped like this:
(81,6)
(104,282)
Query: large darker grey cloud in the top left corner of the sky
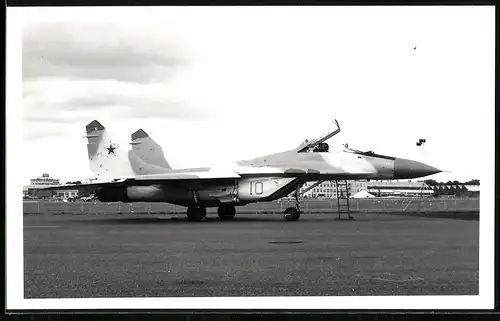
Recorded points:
(98,51)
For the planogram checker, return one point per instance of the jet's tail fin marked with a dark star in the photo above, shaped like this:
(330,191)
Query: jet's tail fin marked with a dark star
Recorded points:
(106,157)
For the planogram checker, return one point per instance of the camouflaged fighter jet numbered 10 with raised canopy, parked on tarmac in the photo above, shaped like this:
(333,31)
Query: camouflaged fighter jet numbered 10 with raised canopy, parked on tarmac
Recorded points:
(143,175)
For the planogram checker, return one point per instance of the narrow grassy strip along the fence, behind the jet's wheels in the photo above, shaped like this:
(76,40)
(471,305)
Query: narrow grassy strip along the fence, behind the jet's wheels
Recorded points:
(467,207)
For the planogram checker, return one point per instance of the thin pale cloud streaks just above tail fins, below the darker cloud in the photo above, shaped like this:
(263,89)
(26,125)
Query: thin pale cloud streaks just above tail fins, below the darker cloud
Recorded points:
(58,101)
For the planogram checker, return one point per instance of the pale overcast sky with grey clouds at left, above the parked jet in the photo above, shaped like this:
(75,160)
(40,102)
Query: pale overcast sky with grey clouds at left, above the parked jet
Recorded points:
(218,84)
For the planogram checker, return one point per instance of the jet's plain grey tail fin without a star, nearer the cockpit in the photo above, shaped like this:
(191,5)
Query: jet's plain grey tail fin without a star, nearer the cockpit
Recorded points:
(146,156)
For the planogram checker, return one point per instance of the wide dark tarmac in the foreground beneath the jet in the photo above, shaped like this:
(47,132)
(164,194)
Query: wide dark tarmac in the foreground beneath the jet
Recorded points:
(162,255)
